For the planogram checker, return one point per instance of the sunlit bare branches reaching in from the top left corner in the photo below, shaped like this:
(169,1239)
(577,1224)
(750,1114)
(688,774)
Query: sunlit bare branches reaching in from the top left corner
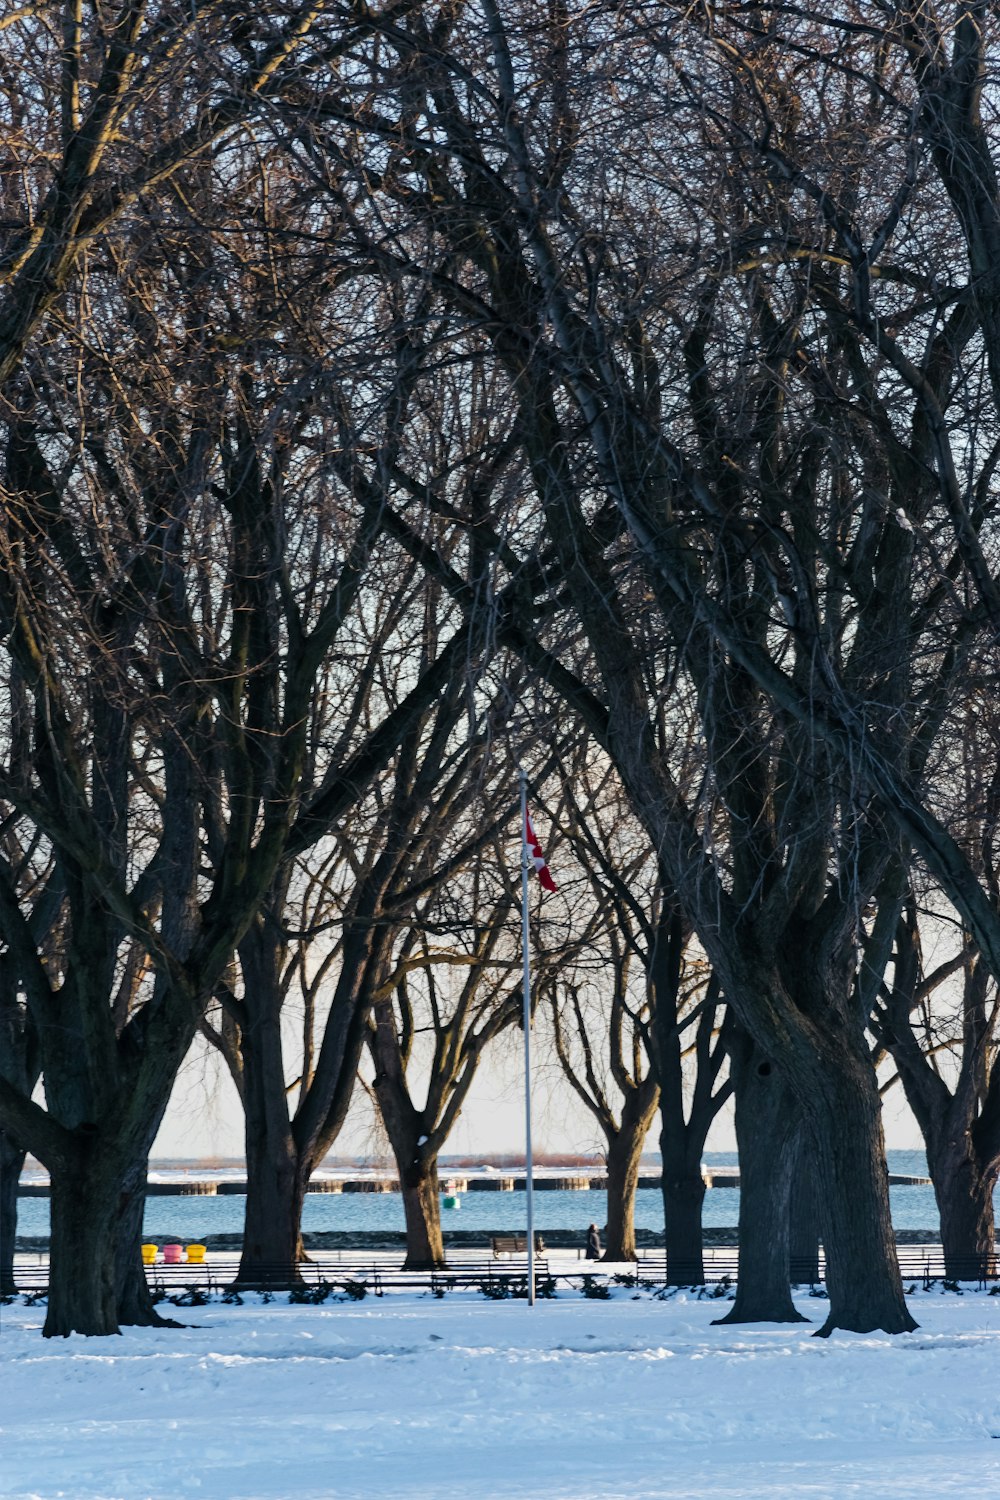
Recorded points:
(104,112)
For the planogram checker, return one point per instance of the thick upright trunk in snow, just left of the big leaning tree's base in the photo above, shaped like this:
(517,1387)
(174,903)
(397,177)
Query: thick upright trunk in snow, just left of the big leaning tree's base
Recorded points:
(768,1129)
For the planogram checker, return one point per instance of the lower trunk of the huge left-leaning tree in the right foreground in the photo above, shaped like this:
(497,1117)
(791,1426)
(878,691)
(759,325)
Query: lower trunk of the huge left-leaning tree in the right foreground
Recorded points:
(863,1273)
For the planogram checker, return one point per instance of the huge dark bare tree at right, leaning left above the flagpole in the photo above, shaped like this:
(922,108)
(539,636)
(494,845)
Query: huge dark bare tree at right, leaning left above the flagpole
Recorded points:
(594,331)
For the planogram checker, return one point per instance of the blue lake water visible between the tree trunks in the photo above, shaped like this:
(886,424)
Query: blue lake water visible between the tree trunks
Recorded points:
(191,1219)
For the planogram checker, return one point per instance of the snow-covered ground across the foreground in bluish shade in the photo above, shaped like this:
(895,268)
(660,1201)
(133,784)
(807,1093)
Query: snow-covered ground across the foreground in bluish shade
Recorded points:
(434,1400)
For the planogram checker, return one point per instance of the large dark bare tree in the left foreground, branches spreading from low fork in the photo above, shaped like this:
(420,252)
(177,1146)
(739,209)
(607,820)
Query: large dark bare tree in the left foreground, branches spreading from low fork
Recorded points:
(170,605)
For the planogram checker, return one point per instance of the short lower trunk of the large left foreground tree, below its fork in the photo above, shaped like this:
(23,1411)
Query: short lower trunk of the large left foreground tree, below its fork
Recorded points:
(82,1283)
